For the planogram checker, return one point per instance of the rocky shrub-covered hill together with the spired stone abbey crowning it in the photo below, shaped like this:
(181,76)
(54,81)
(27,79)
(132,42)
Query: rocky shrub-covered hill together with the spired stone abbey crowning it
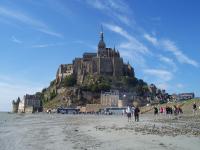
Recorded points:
(82,82)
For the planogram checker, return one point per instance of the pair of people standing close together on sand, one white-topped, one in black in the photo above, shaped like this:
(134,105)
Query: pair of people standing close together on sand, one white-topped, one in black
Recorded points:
(130,111)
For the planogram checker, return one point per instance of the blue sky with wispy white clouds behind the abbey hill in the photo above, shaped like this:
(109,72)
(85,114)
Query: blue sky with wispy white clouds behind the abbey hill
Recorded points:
(159,38)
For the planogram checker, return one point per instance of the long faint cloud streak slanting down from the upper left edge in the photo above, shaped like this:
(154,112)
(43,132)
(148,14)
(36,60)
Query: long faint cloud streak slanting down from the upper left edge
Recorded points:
(25,19)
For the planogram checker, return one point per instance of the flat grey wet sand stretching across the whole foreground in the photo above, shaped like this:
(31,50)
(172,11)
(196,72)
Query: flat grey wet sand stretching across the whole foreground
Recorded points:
(86,132)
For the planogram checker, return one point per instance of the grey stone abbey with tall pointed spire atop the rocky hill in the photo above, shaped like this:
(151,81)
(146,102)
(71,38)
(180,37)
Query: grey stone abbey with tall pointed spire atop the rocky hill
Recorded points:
(106,61)
